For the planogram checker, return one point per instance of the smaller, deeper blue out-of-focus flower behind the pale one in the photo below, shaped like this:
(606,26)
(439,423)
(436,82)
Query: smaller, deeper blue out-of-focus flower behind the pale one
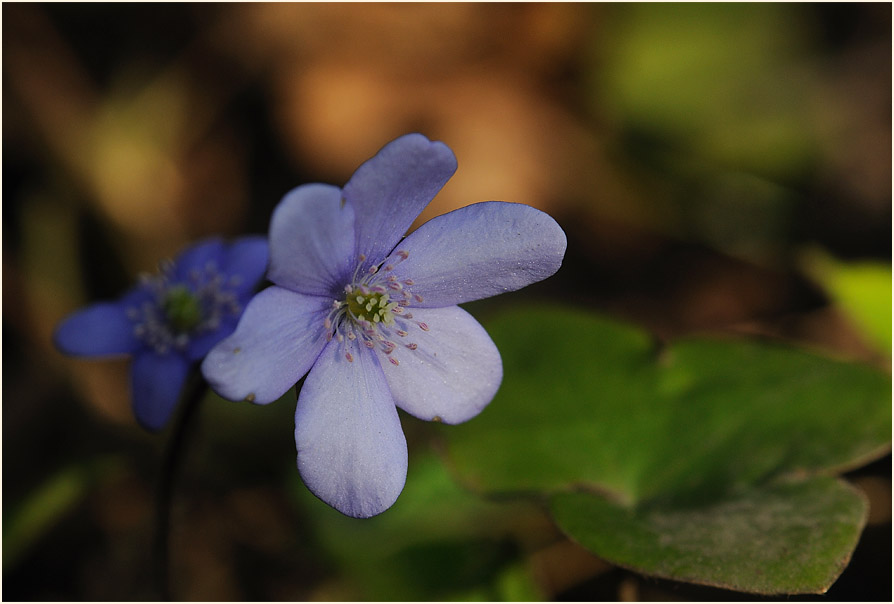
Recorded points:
(169,321)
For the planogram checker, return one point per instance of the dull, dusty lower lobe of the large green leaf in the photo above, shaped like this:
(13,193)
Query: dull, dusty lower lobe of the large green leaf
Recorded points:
(782,538)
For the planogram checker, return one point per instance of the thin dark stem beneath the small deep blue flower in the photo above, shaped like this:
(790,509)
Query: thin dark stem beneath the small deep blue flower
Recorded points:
(193,393)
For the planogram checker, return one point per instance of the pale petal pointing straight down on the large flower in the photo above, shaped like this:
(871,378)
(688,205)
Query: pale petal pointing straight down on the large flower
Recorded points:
(352,453)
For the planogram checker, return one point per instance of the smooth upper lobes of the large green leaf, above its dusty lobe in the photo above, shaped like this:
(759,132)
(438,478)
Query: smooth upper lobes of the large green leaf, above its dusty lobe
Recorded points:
(588,402)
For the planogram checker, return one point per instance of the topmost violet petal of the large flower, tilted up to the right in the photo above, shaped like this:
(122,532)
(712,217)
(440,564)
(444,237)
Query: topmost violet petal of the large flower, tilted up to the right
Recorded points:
(390,190)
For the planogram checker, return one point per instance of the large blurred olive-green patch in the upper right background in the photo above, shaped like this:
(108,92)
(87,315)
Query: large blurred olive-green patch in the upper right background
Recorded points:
(722,79)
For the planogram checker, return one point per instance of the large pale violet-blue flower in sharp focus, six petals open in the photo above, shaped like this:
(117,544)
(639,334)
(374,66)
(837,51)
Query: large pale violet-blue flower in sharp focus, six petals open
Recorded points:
(374,318)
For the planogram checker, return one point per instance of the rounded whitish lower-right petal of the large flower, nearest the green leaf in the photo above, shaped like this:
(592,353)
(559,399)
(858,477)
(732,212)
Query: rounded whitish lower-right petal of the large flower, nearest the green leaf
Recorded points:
(454,371)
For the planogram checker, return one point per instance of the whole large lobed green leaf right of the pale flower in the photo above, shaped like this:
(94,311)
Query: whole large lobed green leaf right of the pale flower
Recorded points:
(665,439)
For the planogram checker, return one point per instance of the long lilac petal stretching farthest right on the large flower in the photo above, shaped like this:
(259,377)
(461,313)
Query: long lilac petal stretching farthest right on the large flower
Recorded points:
(480,251)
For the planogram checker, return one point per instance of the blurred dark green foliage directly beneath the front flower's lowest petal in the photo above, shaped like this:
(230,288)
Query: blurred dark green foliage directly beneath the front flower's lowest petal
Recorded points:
(437,542)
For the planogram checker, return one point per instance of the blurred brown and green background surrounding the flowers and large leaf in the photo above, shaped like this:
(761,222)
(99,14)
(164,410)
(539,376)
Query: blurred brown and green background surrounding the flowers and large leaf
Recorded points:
(711,164)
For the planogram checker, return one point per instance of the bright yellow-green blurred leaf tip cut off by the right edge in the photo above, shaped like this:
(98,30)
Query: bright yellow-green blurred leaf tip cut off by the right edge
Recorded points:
(863,291)
